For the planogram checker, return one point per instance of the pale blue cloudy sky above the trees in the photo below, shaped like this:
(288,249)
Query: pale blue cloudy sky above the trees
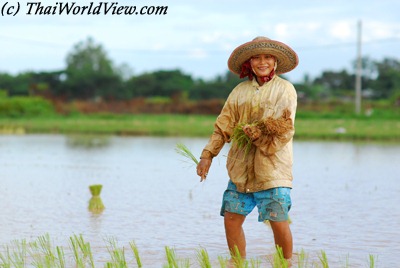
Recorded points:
(197,37)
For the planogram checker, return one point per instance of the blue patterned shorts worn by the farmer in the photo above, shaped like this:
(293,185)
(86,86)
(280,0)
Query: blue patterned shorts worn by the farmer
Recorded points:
(273,204)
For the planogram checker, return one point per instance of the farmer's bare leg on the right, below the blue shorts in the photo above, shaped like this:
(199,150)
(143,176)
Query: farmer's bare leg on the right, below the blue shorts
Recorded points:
(283,237)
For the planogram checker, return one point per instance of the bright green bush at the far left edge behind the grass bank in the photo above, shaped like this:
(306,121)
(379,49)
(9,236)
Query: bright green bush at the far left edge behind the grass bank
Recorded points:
(25,107)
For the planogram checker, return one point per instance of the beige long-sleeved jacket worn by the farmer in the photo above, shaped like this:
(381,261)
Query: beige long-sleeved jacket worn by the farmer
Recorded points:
(268,164)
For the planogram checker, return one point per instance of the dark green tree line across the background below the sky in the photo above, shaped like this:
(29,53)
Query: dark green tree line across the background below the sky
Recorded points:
(91,75)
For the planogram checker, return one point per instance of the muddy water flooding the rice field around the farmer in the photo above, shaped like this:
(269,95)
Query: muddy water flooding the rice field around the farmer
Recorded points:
(345,198)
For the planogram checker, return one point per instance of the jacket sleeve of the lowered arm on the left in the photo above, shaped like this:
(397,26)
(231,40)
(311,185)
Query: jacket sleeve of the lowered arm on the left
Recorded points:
(223,129)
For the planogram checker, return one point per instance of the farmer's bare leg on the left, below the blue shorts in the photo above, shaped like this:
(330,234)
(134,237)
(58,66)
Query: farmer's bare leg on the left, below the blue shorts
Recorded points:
(234,232)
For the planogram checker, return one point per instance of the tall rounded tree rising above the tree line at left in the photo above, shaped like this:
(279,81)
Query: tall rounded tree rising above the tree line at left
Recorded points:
(90,73)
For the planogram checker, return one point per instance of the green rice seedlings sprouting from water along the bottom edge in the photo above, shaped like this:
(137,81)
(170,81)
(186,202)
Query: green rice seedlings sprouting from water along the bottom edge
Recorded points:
(42,253)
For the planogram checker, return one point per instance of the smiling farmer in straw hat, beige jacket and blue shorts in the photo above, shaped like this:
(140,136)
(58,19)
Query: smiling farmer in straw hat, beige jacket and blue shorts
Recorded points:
(262,175)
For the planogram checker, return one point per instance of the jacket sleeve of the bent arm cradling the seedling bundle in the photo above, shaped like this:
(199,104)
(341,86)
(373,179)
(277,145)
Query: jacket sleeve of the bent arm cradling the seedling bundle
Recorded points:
(270,144)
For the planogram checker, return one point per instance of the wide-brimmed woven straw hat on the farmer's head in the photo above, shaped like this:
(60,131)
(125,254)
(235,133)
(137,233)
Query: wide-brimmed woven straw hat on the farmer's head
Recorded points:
(287,58)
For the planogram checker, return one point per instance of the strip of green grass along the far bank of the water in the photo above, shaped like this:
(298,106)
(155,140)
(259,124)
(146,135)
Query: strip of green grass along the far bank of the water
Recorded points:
(320,128)
